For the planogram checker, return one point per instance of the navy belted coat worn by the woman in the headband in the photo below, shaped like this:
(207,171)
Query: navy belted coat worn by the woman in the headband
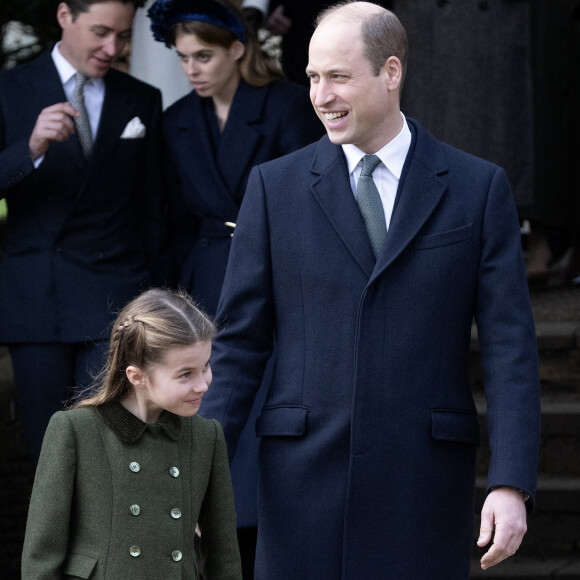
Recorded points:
(263,123)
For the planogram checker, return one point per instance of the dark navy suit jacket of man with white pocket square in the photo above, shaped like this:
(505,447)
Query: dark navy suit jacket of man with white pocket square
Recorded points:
(80,235)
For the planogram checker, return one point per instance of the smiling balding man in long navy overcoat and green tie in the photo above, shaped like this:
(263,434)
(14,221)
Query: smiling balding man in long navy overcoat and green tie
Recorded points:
(369,431)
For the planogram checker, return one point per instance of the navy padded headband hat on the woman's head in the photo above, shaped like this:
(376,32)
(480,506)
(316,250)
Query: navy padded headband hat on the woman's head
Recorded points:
(165,13)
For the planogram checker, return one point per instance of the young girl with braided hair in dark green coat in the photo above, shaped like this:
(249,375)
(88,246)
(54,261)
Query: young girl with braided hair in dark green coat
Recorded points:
(125,477)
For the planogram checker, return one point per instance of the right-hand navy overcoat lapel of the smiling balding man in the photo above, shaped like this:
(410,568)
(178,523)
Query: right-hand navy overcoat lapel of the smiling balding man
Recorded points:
(420,191)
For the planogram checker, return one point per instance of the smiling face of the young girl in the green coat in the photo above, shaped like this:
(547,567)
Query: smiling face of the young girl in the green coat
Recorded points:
(178,384)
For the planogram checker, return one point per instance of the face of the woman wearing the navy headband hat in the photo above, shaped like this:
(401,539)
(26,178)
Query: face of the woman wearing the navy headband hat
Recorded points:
(211,69)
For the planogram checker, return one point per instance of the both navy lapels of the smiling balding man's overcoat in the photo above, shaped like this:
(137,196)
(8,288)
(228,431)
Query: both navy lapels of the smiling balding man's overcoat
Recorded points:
(420,190)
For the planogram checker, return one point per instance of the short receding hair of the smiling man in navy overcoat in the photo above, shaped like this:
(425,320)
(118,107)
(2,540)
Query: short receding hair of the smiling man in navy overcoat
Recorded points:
(382,34)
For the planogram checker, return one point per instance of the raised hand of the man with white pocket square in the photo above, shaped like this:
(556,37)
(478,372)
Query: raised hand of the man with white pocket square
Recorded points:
(54,123)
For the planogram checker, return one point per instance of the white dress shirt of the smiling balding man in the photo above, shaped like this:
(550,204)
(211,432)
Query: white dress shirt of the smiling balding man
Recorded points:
(388,173)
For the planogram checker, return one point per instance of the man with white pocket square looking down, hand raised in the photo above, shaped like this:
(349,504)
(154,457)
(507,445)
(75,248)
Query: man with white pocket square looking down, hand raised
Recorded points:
(83,193)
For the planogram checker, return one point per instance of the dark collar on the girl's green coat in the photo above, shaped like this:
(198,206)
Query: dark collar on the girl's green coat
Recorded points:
(130,429)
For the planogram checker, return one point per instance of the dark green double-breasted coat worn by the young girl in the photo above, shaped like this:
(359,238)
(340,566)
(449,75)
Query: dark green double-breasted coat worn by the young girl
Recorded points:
(116,498)
